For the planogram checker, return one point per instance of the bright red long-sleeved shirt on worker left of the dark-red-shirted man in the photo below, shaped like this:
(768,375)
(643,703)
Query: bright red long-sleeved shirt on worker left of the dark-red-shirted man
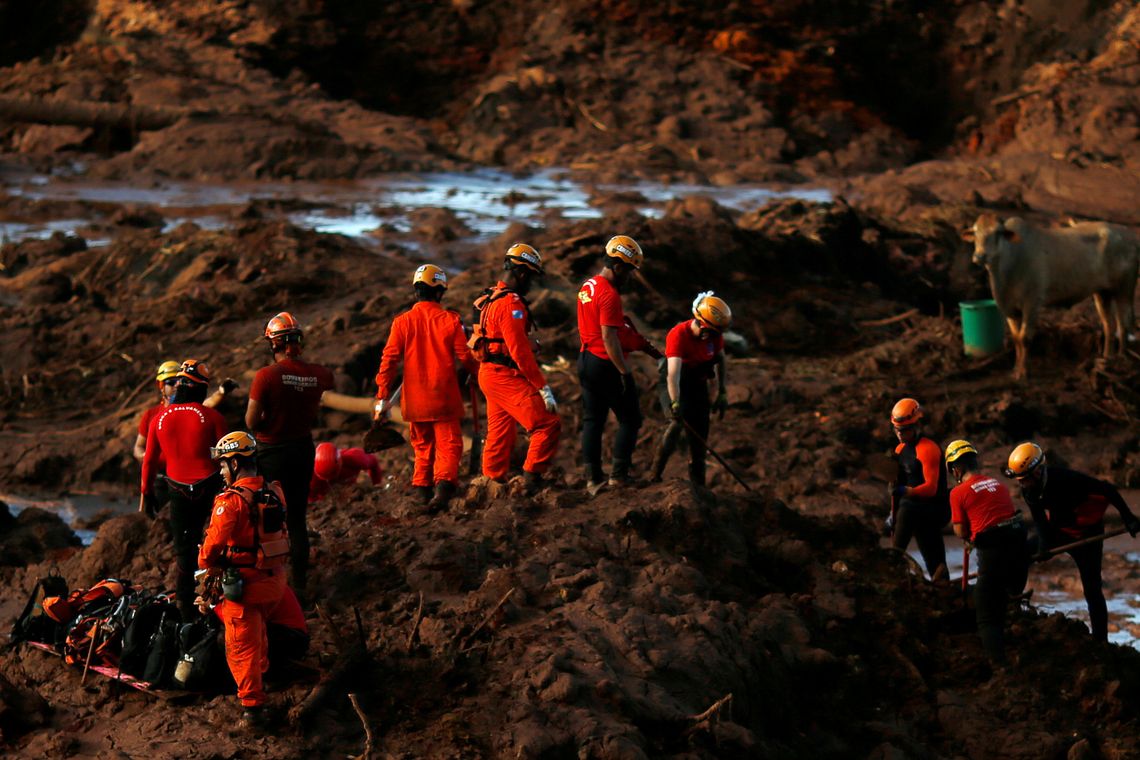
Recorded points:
(184,434)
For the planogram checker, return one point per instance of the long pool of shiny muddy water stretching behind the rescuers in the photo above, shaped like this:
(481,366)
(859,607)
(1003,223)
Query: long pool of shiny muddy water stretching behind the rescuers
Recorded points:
(485,201)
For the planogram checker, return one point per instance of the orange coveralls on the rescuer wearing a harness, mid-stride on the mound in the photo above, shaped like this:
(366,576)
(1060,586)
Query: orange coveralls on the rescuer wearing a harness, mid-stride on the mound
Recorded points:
(512,394)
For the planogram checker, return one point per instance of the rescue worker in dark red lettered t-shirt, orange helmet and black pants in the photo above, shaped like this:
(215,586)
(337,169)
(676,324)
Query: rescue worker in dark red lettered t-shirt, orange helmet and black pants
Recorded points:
(283,408)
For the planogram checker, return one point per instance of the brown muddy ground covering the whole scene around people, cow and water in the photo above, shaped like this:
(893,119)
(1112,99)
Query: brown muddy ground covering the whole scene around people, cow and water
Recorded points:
(628,616)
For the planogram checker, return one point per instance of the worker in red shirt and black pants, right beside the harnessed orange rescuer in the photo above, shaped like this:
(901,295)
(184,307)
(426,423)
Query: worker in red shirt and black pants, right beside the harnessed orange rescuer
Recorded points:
(607,379)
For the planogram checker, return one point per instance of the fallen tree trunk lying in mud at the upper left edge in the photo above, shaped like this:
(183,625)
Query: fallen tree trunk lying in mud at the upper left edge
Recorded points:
(83,113)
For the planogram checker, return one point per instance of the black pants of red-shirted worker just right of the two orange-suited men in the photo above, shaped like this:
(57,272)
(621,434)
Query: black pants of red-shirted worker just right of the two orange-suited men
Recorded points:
(601,393)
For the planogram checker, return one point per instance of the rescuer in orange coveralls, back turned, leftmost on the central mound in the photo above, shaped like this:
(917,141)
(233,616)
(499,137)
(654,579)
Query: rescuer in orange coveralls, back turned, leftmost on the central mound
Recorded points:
(429,340)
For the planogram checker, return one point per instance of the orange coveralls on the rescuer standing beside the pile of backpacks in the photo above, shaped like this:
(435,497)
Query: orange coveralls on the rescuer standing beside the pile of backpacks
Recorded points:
(247,645)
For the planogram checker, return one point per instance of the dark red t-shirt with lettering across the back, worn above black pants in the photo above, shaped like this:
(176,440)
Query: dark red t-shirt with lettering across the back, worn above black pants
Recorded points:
(289,391)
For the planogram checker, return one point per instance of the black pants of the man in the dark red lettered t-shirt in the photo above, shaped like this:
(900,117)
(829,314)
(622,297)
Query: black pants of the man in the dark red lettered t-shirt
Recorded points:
(291,465)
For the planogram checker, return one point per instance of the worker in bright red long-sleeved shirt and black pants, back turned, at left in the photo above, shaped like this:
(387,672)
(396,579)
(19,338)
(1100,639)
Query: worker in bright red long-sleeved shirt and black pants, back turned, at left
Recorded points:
(183,436)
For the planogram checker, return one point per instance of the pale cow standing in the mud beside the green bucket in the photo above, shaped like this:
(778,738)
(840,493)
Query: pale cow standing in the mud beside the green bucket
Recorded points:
(1032,267)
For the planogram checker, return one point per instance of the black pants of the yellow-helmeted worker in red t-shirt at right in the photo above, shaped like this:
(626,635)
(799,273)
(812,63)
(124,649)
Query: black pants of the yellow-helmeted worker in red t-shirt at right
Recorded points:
(1004,566)
